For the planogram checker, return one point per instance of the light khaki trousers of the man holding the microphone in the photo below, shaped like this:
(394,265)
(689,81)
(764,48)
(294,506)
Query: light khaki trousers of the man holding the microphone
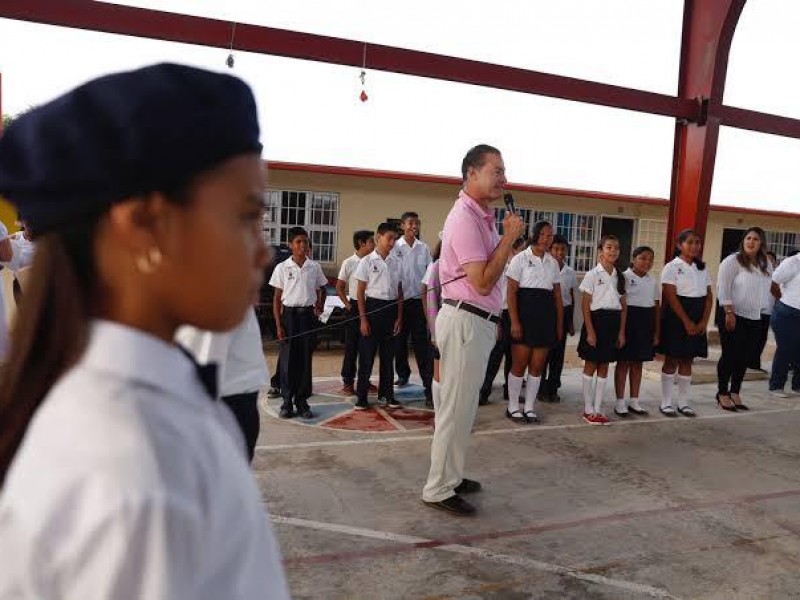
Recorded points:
(465,342)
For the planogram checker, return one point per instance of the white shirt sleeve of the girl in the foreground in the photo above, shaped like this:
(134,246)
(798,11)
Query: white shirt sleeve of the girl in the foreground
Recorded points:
(147,549)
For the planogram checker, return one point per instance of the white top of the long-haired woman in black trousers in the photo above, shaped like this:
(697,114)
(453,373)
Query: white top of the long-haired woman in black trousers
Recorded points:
(743,288)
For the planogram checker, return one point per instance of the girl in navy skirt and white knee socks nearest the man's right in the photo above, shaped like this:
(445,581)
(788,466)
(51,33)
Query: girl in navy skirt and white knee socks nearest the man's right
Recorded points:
(536,313)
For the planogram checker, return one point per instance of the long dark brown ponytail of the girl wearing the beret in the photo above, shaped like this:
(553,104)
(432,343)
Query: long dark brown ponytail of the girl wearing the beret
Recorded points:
(50,332)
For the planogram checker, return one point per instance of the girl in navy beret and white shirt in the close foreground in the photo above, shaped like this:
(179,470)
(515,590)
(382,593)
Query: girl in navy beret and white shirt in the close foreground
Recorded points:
(122,476)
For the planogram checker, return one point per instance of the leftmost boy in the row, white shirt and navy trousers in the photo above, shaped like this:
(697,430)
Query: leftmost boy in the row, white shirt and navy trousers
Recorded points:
(298,301)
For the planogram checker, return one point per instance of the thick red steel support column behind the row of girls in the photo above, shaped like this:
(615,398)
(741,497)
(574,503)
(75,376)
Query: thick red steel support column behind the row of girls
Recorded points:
(708,27)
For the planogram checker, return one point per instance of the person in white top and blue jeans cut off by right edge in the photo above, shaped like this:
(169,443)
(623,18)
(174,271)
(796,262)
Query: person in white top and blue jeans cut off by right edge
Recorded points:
(786,324)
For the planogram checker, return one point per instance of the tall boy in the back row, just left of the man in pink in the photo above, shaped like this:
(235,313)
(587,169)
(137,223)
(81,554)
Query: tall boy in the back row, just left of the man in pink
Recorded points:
(415,256)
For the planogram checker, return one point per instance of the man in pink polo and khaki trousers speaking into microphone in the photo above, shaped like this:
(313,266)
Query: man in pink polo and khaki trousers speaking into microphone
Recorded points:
(474,256)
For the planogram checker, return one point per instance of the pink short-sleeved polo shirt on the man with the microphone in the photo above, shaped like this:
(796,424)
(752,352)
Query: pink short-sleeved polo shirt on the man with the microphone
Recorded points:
(469,236)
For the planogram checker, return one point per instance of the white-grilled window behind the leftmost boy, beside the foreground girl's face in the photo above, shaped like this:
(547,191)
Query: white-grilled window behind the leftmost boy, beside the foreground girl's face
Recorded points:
(317,212)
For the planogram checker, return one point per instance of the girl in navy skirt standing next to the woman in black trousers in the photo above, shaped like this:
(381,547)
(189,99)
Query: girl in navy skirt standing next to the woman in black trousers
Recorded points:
(687,303)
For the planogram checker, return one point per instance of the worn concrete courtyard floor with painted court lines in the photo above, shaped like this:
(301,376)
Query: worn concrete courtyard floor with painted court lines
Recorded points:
(647,507)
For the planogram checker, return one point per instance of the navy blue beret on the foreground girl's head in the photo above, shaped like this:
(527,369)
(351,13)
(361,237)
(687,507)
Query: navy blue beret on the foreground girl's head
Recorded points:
(120,136)
